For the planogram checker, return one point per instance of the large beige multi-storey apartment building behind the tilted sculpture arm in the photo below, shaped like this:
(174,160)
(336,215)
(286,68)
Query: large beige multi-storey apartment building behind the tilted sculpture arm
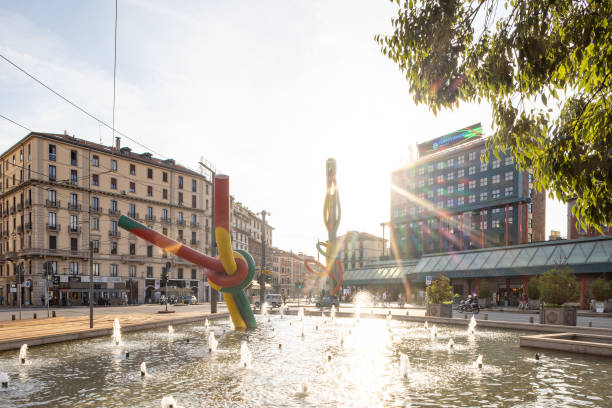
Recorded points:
(58,193)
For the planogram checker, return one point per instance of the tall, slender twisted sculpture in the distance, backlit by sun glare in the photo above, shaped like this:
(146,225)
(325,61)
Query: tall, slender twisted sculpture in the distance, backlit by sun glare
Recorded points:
(329,249)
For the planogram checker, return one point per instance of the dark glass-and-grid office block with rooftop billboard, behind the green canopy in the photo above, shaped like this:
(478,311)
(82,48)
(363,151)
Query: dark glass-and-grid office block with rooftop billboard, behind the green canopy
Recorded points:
(449,199)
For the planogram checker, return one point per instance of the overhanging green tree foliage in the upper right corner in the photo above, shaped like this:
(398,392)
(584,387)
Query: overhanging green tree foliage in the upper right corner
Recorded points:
(545,68)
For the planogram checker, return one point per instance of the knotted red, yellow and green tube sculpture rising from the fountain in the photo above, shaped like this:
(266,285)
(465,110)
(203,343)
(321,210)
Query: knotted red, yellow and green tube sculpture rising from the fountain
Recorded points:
(231,273)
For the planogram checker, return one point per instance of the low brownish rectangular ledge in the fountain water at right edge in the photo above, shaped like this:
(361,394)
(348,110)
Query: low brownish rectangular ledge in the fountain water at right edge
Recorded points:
(598,345)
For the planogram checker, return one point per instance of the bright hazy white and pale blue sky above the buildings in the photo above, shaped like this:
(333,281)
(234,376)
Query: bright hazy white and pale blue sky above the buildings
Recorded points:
(267,91)
